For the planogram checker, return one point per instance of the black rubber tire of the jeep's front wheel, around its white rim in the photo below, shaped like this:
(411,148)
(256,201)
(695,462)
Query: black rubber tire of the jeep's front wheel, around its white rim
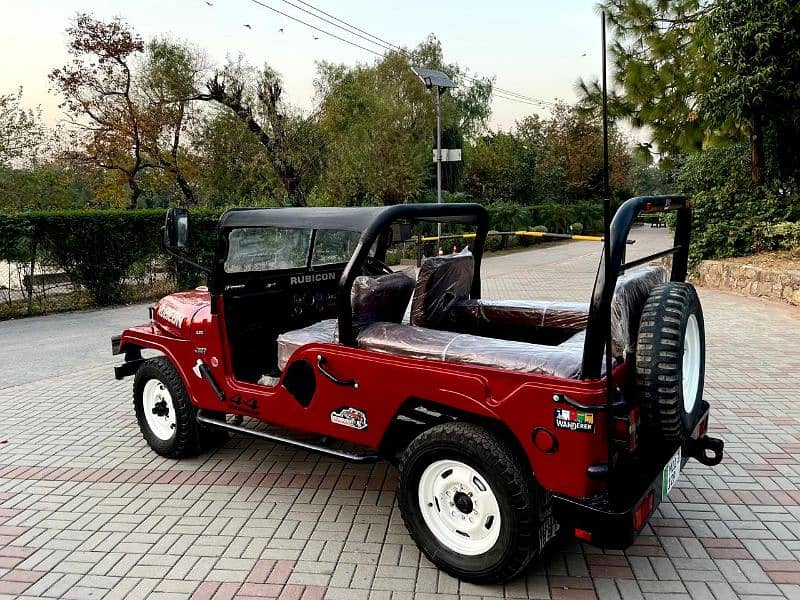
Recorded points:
(189,437)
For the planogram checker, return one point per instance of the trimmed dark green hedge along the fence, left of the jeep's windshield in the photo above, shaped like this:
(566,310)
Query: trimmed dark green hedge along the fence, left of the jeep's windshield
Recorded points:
(98,249)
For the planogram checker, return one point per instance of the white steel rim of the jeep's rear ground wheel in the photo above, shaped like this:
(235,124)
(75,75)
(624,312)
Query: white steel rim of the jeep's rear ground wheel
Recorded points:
(459,507)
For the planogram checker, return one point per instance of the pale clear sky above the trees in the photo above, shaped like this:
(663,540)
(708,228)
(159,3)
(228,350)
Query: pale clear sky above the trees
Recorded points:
(538,48)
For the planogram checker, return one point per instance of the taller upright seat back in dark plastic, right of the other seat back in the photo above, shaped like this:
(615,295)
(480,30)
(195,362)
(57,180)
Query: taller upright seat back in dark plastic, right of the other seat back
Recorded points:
(442,281)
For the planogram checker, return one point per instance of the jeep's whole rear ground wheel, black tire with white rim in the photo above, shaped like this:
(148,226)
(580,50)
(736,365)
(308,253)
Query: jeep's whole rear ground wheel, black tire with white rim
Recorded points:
(470,503)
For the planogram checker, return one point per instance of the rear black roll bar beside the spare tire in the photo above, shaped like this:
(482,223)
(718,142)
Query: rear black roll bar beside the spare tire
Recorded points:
(603,291)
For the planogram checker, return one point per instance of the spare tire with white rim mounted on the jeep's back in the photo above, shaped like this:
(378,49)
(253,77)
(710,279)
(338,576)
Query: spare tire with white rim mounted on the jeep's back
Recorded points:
(670,361)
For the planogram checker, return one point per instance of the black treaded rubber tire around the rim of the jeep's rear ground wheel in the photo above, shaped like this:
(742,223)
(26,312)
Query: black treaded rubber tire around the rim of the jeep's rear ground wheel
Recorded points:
(519,499)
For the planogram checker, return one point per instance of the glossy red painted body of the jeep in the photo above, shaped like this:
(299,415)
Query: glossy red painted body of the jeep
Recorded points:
(521,401)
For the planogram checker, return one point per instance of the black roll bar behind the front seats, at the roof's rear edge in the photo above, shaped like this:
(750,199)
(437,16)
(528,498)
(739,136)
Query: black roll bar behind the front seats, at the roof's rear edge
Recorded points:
(460,213)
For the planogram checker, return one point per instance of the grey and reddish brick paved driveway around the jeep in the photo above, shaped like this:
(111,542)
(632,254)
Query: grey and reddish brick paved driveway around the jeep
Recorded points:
(87,511)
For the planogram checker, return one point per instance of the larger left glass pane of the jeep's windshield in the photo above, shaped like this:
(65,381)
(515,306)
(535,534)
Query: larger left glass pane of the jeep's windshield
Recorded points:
(267,249)
